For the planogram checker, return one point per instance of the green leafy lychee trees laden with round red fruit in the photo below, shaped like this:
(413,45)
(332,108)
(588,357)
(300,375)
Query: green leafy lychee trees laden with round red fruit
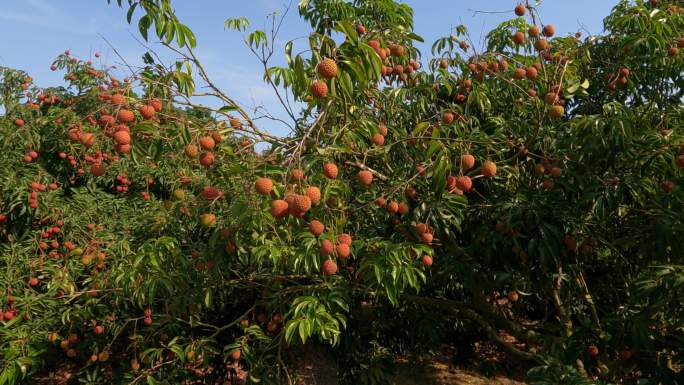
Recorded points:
(528,194)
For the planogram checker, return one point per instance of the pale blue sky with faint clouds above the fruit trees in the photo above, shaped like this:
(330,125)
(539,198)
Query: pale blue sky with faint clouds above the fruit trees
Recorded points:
(35,31)
